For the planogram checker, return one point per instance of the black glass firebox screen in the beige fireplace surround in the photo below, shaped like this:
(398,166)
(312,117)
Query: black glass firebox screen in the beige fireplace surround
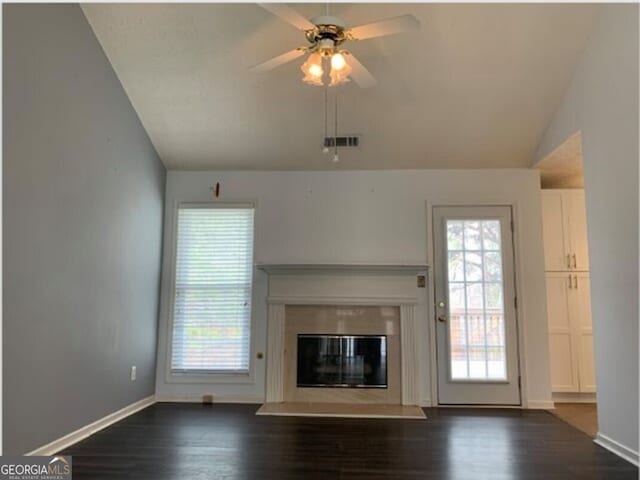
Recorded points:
(357,361)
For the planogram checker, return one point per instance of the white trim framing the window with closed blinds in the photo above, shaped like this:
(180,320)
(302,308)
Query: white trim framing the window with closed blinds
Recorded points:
(217,377)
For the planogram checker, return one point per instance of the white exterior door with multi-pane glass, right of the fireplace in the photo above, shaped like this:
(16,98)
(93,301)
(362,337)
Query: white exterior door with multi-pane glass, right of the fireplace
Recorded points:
(476,330)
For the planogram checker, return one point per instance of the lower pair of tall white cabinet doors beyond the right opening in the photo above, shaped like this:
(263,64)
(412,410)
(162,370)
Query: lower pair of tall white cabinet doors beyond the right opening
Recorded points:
(570,333)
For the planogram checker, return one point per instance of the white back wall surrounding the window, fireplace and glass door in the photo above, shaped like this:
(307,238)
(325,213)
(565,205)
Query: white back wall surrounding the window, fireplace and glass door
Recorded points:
(365,216)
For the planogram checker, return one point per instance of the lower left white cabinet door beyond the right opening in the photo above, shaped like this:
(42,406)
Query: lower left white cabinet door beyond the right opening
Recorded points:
(563,353)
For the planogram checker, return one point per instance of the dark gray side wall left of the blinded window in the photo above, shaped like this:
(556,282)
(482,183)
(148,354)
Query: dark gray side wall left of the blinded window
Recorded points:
(83,199)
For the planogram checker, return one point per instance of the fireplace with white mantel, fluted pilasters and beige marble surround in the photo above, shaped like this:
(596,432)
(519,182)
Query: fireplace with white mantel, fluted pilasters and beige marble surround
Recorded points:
(375,306)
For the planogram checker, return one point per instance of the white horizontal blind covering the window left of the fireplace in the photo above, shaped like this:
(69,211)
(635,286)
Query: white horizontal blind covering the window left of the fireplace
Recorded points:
(213,277)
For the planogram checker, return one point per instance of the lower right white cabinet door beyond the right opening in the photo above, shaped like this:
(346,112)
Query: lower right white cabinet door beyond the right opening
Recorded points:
(580,313)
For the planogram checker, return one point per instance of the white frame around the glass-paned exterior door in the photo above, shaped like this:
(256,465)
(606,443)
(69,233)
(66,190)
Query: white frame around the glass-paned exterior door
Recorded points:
(518,287)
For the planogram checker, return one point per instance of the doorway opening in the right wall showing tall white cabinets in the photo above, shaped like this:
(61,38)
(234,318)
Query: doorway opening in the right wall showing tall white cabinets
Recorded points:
(573,382)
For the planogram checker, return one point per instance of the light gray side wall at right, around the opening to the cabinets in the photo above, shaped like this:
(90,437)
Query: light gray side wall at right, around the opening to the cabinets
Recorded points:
(602,102)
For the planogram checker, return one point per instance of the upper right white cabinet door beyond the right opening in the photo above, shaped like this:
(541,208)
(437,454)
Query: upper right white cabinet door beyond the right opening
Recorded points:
(574,208)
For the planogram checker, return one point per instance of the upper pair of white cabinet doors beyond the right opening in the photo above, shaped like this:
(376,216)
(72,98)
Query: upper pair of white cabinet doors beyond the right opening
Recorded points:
(564,224)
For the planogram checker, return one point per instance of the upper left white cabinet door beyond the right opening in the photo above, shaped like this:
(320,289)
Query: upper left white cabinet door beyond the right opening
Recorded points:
(553,225)
